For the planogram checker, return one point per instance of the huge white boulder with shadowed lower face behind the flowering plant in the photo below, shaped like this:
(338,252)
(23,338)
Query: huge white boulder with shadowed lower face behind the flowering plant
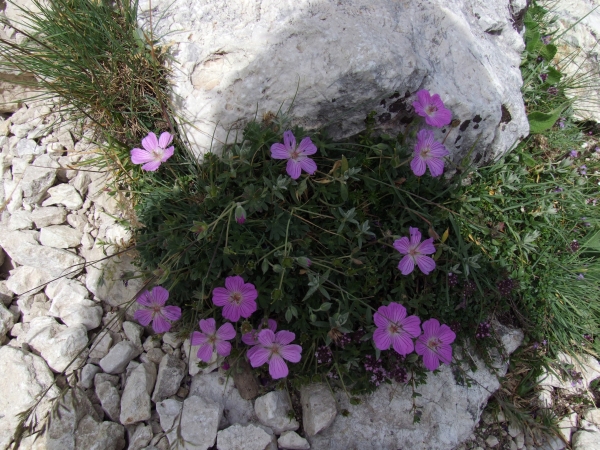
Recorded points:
(337,61)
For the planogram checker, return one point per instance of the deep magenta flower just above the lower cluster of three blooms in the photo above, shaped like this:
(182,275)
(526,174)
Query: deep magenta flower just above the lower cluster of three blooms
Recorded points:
(237,298)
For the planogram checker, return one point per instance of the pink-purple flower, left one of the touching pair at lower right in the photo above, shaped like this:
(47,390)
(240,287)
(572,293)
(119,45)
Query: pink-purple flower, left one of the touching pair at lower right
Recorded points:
(394,328)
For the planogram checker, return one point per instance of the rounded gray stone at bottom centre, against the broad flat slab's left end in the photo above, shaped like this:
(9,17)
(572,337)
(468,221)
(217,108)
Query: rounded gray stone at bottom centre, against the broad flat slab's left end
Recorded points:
(319,408)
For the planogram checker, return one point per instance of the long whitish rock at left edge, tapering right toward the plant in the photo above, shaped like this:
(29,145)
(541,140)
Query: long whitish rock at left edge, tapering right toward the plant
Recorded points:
(22,247)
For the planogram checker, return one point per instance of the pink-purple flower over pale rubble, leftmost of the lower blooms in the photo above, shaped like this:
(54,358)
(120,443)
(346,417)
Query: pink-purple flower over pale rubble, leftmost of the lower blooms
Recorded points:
(154,310)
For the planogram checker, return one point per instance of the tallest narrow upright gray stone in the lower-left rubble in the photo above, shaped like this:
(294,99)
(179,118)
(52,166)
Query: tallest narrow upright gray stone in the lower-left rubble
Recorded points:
(135,402)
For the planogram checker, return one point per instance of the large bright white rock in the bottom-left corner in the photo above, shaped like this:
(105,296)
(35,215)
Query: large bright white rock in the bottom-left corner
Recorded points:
(23,376)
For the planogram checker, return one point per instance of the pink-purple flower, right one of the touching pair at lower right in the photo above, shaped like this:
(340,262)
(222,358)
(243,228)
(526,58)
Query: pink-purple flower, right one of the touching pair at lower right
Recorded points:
(434,344)
